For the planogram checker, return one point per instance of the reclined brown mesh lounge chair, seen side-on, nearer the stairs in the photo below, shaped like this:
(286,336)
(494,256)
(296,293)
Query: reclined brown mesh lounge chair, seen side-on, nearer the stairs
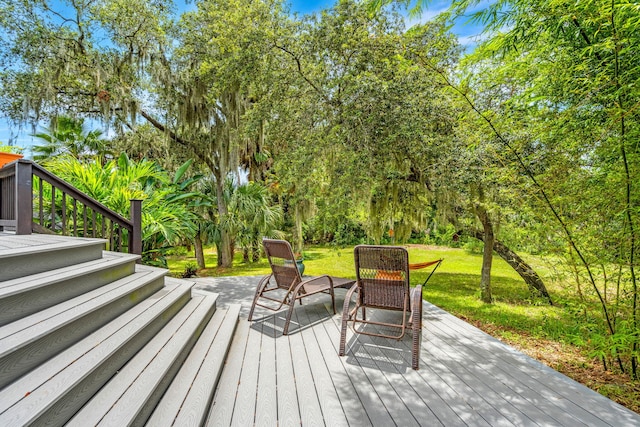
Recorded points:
(285,285)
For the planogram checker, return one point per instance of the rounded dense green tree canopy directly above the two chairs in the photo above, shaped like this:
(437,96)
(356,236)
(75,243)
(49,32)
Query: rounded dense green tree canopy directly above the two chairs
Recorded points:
(362,122)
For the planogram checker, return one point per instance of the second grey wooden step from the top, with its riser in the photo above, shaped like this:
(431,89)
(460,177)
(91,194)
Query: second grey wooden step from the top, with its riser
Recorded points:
(26,295)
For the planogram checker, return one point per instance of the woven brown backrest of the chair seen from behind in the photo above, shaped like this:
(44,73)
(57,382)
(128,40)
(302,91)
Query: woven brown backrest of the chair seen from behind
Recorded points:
(382,274)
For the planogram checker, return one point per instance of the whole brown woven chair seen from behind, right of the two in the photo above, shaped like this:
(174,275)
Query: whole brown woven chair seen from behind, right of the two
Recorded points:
(382,282)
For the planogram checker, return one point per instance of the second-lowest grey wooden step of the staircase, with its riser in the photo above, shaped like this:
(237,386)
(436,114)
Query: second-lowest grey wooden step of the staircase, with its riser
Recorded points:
(130,397)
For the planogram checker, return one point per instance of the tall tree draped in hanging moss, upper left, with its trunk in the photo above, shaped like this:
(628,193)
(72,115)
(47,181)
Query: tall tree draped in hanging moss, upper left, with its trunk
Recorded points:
(126,62)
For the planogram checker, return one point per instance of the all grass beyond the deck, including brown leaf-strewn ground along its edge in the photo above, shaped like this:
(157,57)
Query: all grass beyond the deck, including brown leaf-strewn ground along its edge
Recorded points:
(533,326)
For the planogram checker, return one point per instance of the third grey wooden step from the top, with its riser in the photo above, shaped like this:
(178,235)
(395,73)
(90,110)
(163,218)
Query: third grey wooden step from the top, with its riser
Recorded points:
(30,341)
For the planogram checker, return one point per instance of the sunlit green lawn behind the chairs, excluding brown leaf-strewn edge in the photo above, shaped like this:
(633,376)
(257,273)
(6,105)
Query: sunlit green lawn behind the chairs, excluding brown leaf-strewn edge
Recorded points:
(454,287)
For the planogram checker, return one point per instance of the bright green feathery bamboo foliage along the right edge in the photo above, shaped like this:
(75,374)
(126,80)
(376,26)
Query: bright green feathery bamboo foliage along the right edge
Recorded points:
(566,75)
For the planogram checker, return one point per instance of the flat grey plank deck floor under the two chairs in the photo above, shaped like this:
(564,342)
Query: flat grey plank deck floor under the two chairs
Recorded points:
(466,377)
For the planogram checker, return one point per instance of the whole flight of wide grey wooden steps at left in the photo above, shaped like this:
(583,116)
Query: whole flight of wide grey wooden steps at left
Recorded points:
(89,337)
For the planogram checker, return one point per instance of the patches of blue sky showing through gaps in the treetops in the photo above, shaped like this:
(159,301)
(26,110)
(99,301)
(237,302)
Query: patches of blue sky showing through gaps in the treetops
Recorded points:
(465,31)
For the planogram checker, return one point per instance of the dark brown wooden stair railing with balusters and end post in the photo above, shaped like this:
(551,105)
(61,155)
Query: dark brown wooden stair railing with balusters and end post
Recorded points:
(32,199)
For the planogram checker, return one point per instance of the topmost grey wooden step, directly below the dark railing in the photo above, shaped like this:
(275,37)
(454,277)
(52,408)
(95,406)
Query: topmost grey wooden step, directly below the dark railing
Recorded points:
(23,255)
